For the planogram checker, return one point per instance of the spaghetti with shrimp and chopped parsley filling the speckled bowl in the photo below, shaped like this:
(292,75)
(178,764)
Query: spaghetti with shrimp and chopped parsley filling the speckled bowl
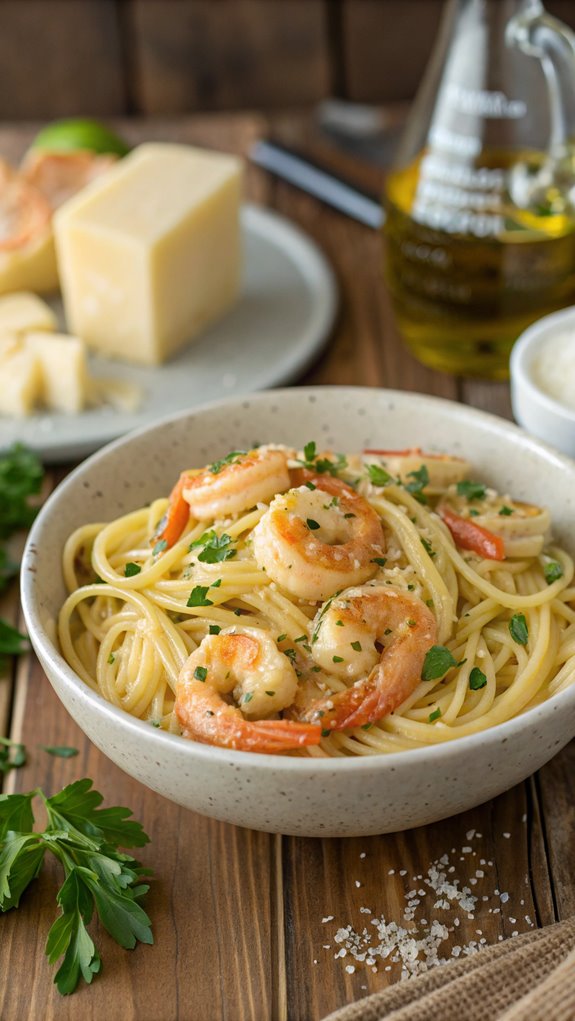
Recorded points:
(392,529)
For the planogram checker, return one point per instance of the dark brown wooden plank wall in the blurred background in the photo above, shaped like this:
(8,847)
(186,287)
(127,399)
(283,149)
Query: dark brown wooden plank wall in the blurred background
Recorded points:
(163,58)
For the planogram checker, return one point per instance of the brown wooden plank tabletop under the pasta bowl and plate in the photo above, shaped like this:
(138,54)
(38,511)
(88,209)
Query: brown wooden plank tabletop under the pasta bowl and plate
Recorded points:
(238,916)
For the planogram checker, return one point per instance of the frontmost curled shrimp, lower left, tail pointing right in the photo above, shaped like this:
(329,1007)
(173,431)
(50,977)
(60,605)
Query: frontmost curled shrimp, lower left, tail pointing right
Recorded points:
(248,664)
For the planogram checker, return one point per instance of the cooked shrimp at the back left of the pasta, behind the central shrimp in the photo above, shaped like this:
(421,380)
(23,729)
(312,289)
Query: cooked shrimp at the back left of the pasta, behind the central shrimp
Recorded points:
(238,482)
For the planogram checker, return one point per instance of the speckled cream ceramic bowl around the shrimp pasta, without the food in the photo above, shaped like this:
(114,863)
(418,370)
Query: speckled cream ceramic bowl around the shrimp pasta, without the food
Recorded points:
(309,798)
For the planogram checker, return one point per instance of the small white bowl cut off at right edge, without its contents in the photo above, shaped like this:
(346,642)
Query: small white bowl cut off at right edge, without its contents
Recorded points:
(537,411)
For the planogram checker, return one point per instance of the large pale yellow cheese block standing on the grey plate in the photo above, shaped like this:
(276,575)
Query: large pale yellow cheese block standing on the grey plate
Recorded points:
(150,255)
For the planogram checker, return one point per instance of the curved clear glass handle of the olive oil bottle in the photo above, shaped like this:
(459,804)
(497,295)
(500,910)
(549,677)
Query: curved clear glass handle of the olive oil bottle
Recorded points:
(539,35)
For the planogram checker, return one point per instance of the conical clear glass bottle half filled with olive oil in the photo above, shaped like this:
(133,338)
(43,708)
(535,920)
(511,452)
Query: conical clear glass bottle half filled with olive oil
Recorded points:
(481,203)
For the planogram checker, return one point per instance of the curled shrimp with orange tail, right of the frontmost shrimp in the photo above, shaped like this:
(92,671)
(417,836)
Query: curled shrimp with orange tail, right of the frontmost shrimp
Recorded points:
(348,629)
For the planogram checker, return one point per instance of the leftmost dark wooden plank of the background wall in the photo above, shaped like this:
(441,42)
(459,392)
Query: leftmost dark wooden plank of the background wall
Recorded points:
(60,59)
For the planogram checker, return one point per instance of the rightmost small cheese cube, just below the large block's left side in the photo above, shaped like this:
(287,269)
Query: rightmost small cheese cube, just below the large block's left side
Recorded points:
(63,370)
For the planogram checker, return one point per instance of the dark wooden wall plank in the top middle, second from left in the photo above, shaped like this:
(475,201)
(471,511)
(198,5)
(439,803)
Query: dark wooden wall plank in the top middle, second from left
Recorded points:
(202,56)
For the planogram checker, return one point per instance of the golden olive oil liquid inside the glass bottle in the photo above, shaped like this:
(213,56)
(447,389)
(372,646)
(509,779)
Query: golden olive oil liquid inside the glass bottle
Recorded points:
(475,254)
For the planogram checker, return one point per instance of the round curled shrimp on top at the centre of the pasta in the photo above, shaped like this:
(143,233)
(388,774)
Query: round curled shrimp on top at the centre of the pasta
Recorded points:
(319,539)
